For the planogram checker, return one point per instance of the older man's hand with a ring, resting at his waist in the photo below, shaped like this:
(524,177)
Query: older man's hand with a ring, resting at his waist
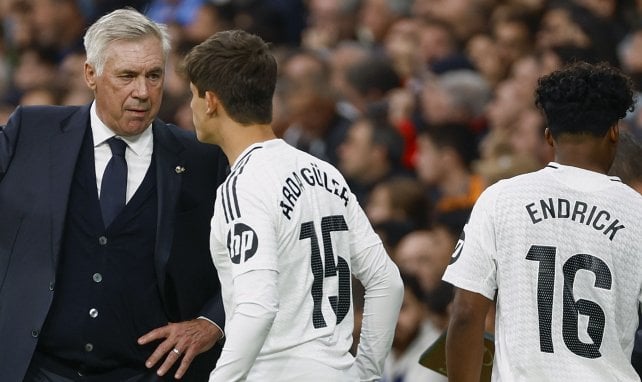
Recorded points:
(183,339)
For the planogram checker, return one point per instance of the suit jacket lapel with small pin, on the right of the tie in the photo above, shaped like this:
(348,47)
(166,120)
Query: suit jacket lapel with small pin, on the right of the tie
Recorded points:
(168,157)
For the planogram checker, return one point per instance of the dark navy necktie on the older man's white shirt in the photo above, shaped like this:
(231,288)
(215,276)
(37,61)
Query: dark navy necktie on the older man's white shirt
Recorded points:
(114,185)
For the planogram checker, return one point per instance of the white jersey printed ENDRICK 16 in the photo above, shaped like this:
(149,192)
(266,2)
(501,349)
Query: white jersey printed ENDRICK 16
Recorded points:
(561,249)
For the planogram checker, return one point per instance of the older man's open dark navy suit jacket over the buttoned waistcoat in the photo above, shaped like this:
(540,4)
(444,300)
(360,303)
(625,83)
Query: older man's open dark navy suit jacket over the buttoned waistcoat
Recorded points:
(39,147)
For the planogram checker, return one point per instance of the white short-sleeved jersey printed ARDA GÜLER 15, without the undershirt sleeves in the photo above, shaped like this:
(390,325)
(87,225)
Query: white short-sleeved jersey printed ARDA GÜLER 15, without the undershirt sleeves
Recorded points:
(283,210)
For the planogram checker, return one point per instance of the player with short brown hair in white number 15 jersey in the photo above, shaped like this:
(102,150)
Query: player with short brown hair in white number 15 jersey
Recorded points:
(287,234)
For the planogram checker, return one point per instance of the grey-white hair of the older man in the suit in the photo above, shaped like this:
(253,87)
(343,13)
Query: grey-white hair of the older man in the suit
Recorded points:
(121,24)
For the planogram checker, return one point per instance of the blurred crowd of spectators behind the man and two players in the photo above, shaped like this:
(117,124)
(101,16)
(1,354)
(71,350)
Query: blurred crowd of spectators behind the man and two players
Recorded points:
(420,103)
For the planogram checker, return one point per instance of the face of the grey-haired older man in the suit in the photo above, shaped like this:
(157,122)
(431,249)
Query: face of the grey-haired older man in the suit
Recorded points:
(129,91)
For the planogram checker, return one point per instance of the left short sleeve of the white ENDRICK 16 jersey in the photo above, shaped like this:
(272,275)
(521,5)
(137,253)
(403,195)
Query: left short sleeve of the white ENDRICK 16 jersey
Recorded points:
(472,266)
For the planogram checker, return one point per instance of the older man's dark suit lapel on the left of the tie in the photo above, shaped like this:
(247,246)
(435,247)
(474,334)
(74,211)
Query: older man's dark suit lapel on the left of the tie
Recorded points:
(64,149)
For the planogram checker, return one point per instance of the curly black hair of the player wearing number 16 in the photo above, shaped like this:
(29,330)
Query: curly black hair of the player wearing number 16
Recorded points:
(584,98)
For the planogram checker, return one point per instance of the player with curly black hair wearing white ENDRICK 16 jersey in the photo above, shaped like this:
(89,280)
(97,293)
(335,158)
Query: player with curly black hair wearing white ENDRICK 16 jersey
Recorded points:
(559,249)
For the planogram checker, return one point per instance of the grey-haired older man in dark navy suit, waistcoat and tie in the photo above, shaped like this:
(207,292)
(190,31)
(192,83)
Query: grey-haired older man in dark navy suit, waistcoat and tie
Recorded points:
(105,272)
